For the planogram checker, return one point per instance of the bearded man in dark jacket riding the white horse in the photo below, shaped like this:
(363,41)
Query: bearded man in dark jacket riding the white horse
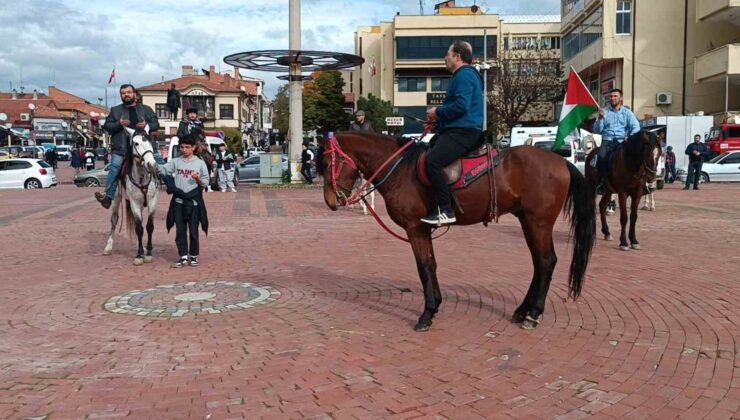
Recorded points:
(128,114)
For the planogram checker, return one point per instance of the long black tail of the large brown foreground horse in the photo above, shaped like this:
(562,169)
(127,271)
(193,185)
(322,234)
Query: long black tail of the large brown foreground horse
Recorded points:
(580,205)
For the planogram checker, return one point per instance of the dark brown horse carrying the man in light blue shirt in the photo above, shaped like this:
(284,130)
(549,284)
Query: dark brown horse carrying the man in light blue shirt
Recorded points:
(633,166)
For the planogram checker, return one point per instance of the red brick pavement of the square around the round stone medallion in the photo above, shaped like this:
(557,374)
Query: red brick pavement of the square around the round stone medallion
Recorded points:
(654,334)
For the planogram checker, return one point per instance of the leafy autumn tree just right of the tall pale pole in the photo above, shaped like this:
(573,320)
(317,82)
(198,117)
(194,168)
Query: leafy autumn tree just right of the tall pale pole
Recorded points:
(323,103)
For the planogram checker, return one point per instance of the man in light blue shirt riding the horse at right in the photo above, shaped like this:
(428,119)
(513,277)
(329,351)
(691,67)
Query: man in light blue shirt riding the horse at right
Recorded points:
(615,124)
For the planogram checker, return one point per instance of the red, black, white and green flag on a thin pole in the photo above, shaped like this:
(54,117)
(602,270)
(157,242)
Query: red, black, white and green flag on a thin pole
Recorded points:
(578,105)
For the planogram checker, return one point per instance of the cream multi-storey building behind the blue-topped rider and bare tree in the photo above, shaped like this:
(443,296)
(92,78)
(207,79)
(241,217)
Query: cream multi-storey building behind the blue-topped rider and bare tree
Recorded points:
(404,59)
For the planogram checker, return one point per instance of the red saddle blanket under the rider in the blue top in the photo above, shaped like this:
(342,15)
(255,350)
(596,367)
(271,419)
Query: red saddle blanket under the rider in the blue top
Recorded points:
(461,172)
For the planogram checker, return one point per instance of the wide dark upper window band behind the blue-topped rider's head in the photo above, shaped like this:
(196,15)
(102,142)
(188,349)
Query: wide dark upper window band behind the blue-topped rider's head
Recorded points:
(435,47)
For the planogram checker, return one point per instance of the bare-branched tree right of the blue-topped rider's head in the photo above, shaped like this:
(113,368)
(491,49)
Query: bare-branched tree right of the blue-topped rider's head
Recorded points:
(523,84)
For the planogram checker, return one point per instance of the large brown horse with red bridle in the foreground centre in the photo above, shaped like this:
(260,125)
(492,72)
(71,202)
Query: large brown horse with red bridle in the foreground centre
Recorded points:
(532,184)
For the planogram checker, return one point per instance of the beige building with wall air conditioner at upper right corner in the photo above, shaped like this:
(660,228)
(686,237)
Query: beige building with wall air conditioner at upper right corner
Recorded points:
(669,57)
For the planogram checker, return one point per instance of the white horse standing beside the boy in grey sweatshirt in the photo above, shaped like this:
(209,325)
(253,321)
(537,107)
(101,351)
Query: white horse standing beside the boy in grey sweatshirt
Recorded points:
(141,188)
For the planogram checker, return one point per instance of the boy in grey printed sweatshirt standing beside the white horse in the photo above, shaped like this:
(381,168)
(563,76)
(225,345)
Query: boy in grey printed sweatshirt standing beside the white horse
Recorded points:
(186,176)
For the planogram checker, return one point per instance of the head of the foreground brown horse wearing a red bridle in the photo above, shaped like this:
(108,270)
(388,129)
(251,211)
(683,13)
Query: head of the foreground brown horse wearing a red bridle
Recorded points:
(339,171)
